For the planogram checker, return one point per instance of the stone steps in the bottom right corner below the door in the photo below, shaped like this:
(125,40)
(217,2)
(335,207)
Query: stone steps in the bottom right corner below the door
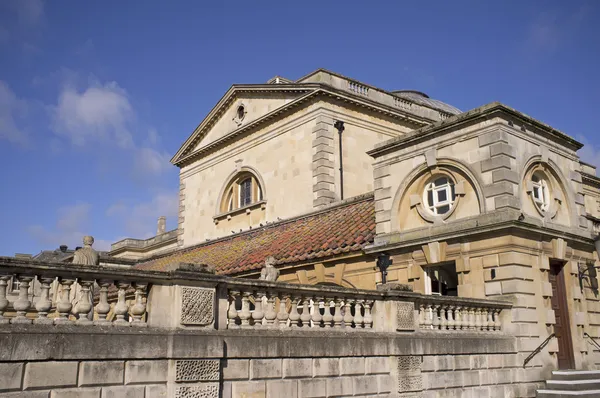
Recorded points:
(572,383)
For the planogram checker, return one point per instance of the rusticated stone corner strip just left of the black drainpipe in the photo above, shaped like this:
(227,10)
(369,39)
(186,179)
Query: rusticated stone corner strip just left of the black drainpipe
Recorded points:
(323,161)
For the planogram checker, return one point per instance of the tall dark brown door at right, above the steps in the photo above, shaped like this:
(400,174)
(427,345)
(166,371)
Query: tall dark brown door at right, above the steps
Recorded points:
(562,328)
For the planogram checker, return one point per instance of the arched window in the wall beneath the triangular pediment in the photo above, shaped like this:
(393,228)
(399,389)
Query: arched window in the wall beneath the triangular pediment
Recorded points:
(242,191)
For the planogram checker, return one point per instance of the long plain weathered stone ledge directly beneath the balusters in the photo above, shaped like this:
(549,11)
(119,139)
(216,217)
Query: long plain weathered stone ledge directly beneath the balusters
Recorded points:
(37,343)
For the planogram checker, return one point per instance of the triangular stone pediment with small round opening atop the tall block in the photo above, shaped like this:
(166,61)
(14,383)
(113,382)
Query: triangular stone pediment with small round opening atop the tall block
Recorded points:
(240,107)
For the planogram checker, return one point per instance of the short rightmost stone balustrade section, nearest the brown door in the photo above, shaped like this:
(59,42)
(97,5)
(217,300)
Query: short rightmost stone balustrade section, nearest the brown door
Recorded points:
(460,314)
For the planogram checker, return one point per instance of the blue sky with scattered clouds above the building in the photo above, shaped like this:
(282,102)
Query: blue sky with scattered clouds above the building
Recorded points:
(95,97)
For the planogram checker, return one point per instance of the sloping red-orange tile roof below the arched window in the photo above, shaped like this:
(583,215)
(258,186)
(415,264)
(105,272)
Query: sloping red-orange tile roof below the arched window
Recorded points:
(343,228)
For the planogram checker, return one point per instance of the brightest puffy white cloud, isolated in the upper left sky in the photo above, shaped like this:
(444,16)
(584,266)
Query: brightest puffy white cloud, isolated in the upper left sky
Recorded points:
(100,113)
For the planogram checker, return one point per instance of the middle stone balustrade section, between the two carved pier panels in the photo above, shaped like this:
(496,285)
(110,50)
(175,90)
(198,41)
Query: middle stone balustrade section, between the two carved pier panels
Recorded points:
(292,306)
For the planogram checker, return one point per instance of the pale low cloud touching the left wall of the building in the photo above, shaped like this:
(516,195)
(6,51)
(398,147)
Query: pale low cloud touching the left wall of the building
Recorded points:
(139,219)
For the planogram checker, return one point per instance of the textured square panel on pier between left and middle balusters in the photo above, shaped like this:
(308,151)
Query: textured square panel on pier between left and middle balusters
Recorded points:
(197,306)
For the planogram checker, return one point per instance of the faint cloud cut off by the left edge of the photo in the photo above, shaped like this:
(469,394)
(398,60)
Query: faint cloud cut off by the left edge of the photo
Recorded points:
(11,109)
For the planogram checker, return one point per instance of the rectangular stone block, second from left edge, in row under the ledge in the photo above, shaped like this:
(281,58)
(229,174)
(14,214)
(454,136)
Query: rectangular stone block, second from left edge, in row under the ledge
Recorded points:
(50,374)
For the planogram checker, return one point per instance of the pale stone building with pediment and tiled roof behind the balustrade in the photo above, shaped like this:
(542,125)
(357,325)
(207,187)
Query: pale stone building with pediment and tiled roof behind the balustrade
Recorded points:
(326,173)
